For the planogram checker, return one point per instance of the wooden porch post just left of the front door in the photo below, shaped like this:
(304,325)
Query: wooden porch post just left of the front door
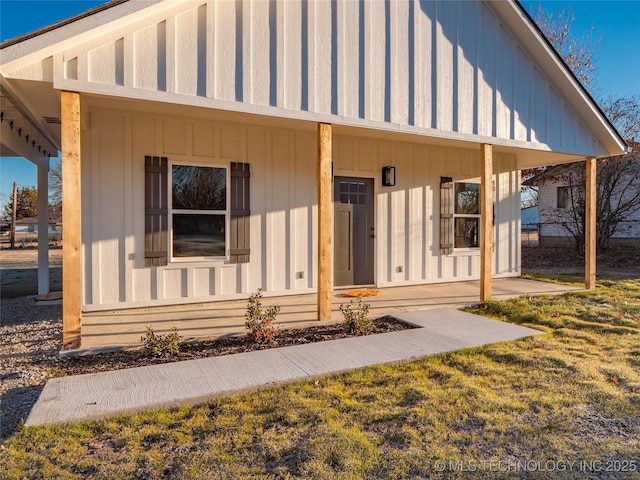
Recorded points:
(324,222)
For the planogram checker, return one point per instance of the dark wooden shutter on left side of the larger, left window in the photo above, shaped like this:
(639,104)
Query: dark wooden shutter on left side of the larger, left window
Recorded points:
(156,215)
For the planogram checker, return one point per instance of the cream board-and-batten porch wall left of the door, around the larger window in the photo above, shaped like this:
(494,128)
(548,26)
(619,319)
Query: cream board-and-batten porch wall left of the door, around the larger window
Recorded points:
(283,210)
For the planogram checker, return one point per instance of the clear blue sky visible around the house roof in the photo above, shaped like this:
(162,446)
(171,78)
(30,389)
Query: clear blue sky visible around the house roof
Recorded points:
(617,22)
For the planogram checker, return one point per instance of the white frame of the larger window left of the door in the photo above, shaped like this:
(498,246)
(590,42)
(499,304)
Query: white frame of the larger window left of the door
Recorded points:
(226,213)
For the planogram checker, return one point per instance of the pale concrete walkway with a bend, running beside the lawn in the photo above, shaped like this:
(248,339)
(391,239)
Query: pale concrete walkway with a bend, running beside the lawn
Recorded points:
(105,394)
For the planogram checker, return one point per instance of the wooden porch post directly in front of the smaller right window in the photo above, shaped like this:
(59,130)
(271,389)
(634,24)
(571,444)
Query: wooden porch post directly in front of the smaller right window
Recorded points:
(486,220)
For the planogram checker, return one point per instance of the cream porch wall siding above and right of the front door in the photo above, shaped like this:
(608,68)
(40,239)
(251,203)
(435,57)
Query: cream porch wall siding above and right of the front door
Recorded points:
(407,215)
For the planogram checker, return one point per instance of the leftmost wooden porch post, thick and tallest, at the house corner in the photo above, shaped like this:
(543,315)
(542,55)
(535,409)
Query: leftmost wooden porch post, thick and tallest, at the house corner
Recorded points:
(71,239)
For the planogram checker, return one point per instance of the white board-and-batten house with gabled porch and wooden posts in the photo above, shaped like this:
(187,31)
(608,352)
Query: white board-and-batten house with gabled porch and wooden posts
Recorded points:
(211,148)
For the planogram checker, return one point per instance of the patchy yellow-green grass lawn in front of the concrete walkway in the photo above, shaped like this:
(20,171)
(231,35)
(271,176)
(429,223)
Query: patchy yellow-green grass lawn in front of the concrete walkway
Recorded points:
(565,404)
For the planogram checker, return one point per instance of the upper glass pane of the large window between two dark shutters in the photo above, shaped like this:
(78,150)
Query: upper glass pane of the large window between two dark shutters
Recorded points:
(199,188)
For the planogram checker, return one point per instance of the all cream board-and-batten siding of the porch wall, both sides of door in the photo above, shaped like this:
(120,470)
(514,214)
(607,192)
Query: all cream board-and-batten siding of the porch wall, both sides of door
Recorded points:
(283,209)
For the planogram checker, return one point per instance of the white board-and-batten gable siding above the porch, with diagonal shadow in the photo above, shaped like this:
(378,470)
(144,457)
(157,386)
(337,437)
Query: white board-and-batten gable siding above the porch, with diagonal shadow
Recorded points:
(434,68)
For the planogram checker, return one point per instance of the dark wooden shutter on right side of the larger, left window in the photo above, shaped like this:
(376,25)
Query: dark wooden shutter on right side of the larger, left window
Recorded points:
(240,213)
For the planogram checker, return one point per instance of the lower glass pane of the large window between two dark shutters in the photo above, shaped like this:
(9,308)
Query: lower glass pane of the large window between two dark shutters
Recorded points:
(198,235)
